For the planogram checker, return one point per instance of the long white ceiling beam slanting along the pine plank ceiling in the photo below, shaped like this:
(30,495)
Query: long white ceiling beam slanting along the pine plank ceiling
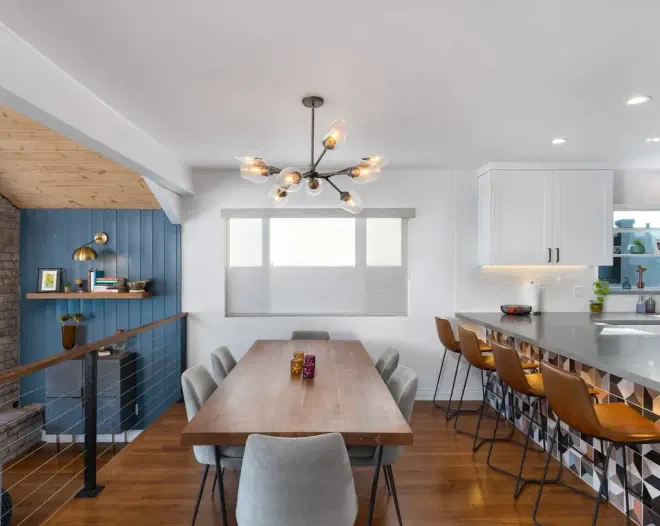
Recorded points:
(33,85)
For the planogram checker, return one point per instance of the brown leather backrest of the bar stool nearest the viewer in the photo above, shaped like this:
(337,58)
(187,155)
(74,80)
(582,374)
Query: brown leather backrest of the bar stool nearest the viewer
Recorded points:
(569,397)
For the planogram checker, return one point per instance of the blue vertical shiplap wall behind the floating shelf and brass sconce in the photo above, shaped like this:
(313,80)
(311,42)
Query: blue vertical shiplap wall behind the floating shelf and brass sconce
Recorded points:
(142,244)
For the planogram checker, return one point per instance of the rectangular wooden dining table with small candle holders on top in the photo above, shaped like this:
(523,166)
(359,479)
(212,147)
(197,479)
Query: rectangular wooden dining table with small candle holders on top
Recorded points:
(346,396)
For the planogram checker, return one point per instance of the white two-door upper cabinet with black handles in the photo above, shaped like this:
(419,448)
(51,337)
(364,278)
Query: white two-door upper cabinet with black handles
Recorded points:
(545,216)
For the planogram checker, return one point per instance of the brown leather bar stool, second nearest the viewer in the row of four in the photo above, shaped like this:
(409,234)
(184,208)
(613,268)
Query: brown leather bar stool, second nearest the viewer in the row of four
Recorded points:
(510,370)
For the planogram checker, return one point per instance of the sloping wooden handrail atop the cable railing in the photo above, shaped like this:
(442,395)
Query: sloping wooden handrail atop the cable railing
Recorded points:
(16,373)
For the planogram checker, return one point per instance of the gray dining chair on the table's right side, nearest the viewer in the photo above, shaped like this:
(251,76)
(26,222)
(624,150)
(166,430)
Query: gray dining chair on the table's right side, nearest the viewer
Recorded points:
(403,387)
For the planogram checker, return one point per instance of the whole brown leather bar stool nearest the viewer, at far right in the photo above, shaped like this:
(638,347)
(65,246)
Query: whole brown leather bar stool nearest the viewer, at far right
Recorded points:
(616,423)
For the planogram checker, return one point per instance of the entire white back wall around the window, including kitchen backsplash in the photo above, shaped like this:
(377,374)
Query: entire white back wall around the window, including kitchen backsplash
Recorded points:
(444,273)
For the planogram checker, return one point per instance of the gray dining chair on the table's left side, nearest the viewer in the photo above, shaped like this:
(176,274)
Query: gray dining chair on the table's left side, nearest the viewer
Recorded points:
(198,385)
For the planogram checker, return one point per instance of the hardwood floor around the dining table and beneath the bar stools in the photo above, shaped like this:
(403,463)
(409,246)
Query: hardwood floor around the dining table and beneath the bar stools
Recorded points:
(439,481)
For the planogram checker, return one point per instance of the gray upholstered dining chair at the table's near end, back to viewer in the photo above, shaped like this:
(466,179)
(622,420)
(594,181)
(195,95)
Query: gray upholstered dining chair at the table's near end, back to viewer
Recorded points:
(296,482)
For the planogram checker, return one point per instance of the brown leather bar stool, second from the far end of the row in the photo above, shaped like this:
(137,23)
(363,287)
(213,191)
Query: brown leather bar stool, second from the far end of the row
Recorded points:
(486,364)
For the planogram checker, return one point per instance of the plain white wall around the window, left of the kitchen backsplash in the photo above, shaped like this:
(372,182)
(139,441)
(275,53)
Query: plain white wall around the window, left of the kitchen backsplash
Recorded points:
(431,259)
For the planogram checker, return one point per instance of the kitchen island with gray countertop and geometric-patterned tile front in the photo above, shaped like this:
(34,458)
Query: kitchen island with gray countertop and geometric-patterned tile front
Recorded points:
(616,353)
